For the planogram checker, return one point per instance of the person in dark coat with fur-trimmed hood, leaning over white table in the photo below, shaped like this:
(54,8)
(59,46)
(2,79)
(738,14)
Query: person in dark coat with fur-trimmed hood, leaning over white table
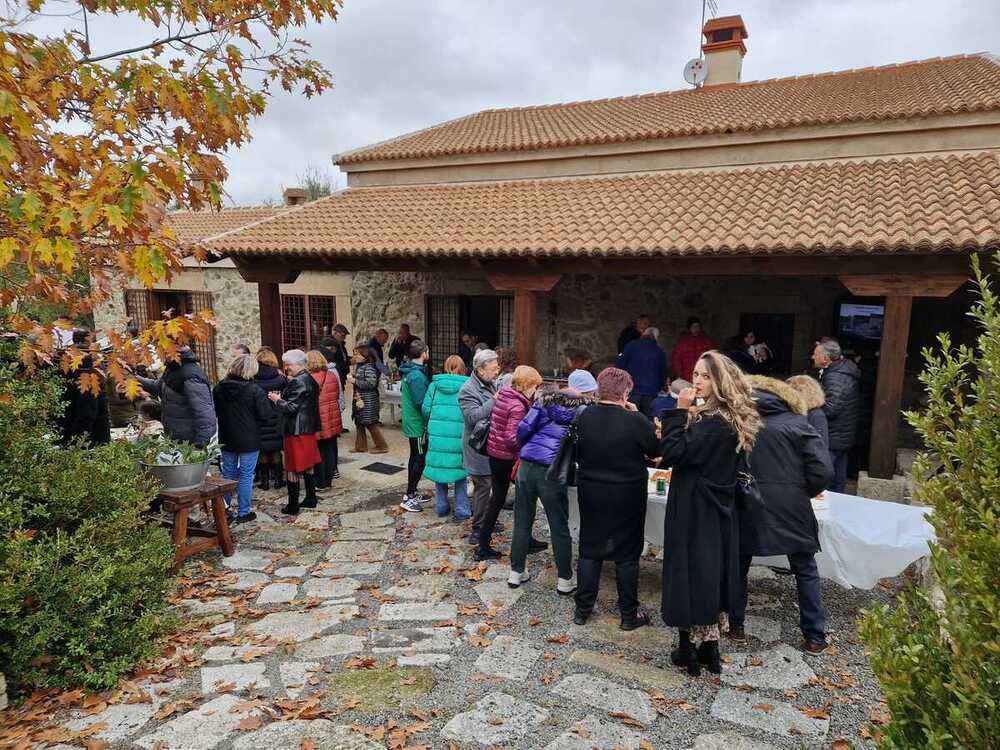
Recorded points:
(791,465)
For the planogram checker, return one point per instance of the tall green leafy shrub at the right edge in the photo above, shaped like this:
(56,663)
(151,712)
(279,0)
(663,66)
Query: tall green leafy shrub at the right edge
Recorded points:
(938,657)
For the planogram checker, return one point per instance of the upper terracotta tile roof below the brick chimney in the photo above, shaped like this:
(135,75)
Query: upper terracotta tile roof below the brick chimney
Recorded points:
(917,89)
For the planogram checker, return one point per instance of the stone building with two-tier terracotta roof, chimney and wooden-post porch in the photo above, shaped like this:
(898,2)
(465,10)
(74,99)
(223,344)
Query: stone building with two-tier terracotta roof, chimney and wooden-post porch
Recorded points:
(840,203)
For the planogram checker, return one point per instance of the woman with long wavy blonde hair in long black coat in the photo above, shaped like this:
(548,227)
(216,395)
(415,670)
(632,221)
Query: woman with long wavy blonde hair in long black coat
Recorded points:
(704,440)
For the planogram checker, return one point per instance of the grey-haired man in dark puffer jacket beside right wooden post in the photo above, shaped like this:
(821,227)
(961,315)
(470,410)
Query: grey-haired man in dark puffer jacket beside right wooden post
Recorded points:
(841,381)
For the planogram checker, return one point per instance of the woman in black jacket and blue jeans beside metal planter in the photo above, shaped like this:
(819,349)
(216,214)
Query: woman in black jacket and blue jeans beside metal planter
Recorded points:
(241,410)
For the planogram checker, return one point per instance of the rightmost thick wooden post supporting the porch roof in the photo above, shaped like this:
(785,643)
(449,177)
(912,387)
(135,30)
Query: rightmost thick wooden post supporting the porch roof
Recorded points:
(889,389)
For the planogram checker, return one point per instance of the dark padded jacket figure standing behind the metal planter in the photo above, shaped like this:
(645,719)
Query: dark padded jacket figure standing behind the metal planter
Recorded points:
(188,409)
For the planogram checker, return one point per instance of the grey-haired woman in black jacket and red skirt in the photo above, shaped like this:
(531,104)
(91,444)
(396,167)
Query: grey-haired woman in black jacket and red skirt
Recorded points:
(298,403)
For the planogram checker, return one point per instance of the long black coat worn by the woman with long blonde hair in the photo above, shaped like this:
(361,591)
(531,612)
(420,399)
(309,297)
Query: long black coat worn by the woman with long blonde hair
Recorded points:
(700,560)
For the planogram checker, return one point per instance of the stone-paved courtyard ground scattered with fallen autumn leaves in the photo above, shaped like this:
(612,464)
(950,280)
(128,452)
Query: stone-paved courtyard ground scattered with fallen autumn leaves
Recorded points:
(356,625)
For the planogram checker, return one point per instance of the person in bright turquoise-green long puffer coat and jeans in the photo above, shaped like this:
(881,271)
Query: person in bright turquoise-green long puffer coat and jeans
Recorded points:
(444,432)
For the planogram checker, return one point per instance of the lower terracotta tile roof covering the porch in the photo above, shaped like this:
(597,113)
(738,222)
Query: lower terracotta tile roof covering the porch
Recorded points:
(907,205)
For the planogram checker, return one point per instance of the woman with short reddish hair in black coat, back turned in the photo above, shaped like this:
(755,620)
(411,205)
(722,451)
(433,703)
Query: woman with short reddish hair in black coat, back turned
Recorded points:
(613,444)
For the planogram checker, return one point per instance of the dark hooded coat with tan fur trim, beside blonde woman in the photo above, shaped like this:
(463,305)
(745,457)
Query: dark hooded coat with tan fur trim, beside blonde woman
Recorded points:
(791,465)
